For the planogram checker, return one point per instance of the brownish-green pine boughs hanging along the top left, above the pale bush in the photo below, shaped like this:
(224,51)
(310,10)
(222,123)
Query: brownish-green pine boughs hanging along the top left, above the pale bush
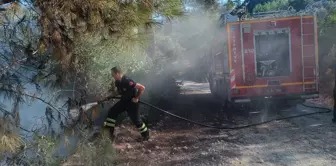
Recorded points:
(108,20)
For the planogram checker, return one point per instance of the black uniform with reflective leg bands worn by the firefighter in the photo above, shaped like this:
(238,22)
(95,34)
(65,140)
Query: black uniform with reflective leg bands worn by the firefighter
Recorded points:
(126,87)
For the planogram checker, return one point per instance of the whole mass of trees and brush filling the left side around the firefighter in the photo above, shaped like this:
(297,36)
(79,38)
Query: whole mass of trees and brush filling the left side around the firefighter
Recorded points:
(71,45)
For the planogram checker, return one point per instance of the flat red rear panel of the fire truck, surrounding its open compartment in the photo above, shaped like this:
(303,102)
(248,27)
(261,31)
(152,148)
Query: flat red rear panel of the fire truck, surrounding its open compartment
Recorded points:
(303,60)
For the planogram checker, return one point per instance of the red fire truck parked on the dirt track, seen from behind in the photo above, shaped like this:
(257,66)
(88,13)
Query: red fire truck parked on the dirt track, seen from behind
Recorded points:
(266,58)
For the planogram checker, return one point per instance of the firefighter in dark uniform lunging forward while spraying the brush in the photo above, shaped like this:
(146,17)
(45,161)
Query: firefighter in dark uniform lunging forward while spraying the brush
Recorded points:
(130,92)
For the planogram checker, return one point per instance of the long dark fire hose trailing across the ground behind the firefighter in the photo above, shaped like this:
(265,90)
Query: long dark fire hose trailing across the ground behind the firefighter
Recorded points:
(328,110)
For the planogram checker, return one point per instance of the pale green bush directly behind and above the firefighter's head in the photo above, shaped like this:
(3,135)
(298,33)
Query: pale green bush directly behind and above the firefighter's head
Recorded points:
(107,54)
